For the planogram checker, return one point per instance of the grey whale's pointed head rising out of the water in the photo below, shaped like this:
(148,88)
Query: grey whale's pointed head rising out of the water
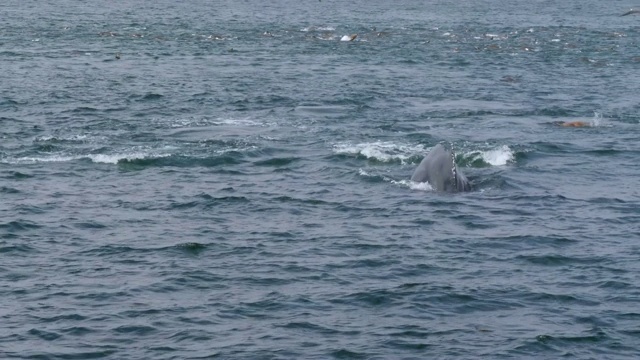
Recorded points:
(439,169)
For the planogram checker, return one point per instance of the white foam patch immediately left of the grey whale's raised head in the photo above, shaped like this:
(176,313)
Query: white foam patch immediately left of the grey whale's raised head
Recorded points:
(381,151)
